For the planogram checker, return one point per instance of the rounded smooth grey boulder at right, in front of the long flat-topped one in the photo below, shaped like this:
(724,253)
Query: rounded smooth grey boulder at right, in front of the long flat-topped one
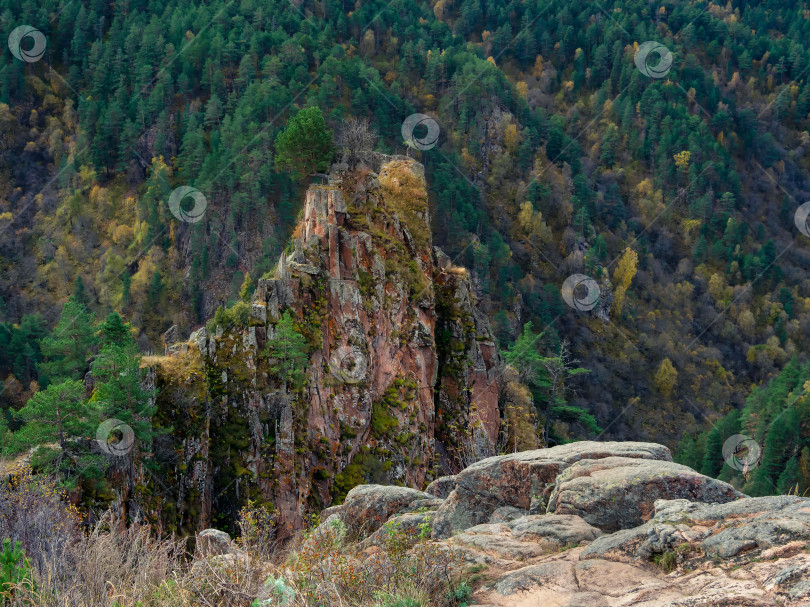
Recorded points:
(619,493)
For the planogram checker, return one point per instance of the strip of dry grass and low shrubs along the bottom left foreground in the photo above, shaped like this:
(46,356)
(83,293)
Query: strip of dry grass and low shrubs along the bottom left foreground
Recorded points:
(110,565)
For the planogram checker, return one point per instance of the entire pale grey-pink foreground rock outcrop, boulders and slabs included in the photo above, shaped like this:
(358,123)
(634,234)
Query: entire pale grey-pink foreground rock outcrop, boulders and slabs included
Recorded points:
(599,525)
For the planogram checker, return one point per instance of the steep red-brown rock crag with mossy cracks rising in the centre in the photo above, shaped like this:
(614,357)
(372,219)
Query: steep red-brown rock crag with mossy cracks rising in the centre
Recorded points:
(365,287)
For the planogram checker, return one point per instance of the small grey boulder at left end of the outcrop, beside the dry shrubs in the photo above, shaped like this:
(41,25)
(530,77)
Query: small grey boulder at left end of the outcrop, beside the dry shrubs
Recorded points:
(367,507)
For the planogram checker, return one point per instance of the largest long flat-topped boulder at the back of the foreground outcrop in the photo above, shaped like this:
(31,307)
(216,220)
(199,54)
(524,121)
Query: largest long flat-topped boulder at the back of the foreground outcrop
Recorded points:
(518,478)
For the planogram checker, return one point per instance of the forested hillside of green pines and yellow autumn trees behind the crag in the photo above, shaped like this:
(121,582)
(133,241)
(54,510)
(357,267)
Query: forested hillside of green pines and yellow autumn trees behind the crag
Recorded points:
(560,152)
